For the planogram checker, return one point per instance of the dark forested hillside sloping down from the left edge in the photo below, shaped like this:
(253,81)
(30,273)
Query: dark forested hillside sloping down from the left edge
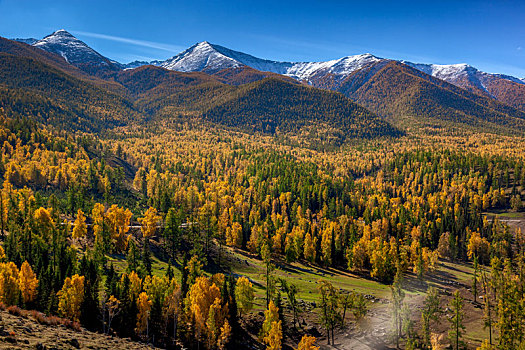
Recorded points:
(33,89)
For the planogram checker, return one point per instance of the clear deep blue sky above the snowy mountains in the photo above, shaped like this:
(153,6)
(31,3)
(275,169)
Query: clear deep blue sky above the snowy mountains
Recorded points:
(489,35)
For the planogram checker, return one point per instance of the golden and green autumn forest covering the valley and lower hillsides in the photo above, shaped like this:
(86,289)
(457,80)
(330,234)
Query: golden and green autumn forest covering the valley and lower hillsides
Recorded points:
(242,209)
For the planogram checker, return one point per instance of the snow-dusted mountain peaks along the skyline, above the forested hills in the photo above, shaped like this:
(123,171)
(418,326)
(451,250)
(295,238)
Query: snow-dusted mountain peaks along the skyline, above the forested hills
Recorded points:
(208,57)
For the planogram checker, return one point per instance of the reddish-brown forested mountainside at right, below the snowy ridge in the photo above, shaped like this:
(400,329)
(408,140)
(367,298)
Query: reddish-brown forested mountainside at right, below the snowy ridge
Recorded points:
(397,91)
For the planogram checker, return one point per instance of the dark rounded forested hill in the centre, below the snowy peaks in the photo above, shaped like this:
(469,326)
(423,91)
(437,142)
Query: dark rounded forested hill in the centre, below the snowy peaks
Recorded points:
(273,105)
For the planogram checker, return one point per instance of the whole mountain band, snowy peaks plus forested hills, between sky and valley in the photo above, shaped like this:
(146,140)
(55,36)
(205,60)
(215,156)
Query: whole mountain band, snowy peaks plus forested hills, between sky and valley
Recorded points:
(405,94)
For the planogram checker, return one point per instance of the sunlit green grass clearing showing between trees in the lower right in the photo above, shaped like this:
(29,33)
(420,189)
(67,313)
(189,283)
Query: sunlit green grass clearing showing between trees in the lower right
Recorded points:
(448,277)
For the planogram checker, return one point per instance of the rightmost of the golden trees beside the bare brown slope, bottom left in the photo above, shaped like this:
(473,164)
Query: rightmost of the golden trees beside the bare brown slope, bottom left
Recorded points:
(70,297)
